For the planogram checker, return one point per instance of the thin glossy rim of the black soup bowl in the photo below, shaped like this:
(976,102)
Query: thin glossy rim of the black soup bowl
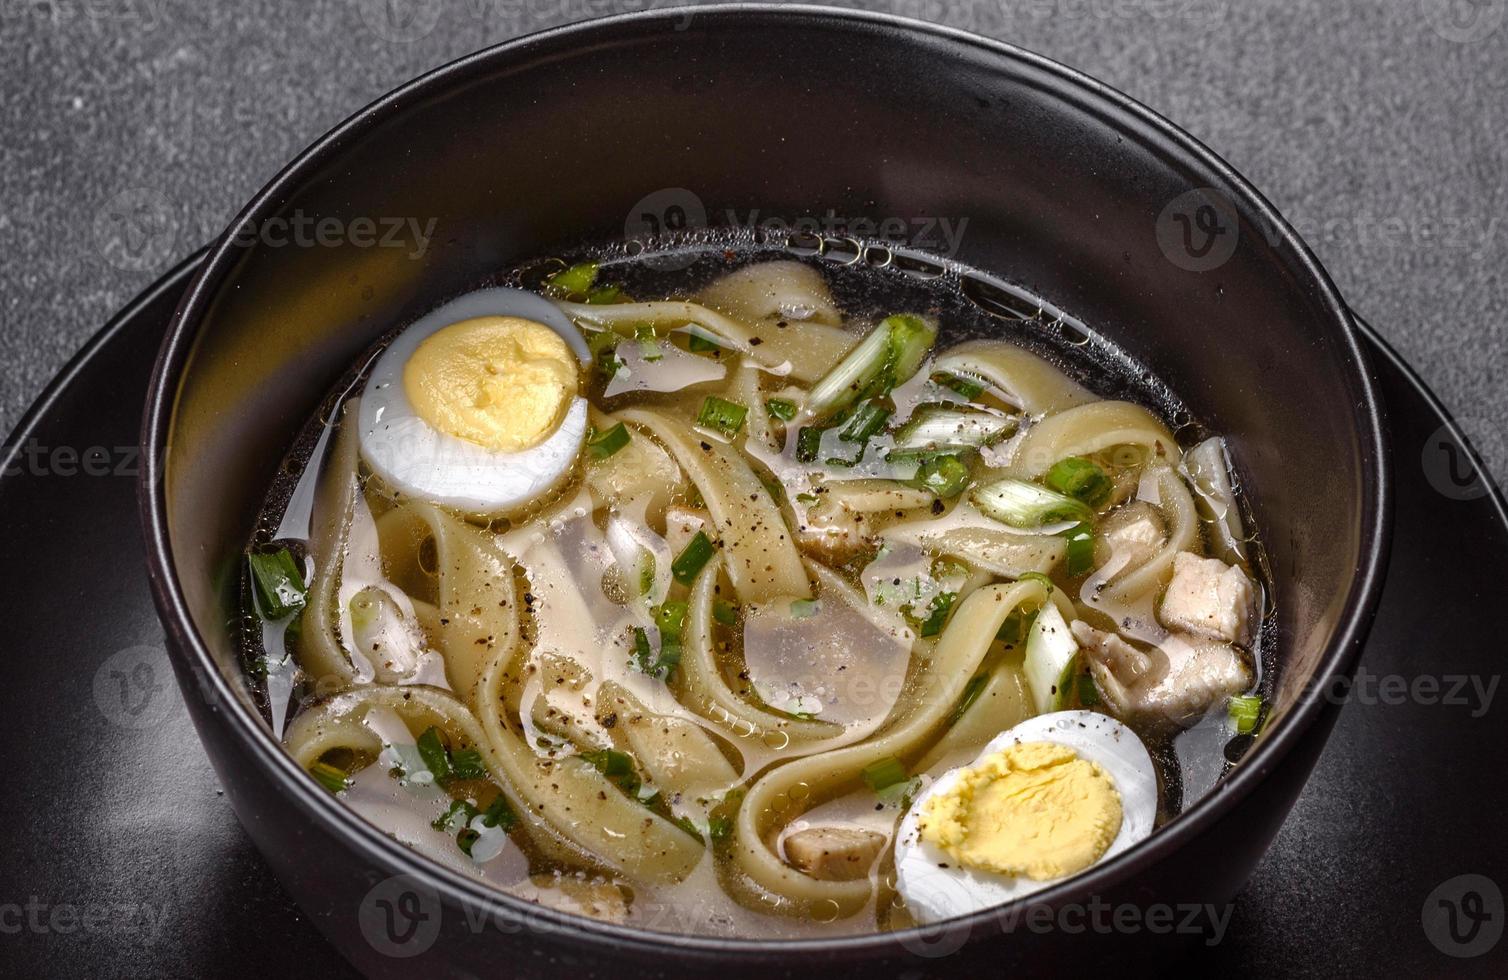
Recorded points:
(388,856)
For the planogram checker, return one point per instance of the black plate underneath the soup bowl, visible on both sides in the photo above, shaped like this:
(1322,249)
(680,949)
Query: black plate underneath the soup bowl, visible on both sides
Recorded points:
(124,860)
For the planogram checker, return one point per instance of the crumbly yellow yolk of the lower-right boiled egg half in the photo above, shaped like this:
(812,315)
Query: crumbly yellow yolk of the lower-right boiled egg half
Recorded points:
(1034,810)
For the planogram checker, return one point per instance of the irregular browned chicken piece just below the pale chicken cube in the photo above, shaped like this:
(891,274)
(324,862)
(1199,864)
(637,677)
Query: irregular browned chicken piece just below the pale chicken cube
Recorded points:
(1175,682)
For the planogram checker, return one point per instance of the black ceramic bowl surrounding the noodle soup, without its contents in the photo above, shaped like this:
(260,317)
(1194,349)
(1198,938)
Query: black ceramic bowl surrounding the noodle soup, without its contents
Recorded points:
(565,138)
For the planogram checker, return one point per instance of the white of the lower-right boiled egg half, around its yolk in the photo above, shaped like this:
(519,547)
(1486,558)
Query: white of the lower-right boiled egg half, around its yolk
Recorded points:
(936,893)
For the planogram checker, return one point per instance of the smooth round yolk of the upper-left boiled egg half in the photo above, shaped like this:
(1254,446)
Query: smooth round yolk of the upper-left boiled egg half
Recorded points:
(500,382)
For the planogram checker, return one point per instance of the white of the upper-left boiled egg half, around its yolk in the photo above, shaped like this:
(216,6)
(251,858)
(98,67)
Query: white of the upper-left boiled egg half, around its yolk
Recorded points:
(420,461)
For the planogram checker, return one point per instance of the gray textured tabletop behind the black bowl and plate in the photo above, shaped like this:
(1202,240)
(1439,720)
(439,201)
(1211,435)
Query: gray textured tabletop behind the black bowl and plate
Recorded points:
(1378,127)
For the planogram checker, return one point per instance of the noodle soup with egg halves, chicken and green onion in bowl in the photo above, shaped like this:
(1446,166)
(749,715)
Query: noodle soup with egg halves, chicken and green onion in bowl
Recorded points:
(726,608)
